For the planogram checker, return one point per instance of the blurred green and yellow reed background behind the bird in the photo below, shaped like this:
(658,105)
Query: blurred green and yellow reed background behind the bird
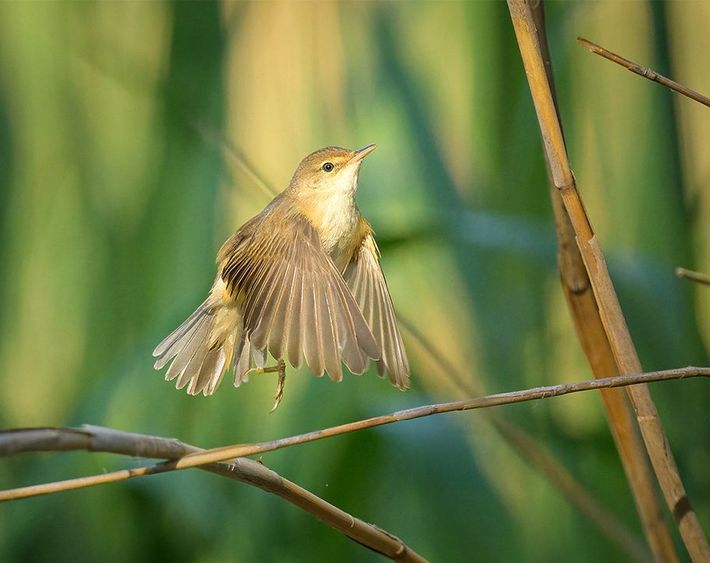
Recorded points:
(117,188)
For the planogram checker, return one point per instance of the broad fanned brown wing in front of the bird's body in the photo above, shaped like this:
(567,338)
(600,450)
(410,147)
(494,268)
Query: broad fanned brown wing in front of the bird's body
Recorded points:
(292,297)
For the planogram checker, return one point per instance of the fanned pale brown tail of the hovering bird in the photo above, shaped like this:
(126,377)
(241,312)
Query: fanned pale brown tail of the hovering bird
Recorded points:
(204,347)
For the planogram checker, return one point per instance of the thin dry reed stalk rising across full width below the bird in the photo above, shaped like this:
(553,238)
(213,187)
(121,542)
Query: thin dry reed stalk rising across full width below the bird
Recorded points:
(242,450)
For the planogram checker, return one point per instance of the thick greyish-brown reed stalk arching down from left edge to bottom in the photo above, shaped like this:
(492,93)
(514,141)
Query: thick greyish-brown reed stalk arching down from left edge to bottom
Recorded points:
(99,439)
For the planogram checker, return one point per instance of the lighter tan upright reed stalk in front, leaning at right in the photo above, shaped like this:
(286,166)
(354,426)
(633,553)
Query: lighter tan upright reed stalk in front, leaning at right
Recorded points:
(610,311)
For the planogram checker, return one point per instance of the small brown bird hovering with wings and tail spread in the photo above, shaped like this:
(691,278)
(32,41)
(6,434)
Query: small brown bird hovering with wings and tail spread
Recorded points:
(302,279)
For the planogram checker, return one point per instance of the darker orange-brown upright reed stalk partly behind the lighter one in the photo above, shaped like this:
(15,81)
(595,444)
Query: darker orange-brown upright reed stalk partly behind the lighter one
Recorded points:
(589,327)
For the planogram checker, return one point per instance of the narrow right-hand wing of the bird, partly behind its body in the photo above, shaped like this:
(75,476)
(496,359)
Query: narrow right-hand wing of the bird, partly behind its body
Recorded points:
(367,283)
